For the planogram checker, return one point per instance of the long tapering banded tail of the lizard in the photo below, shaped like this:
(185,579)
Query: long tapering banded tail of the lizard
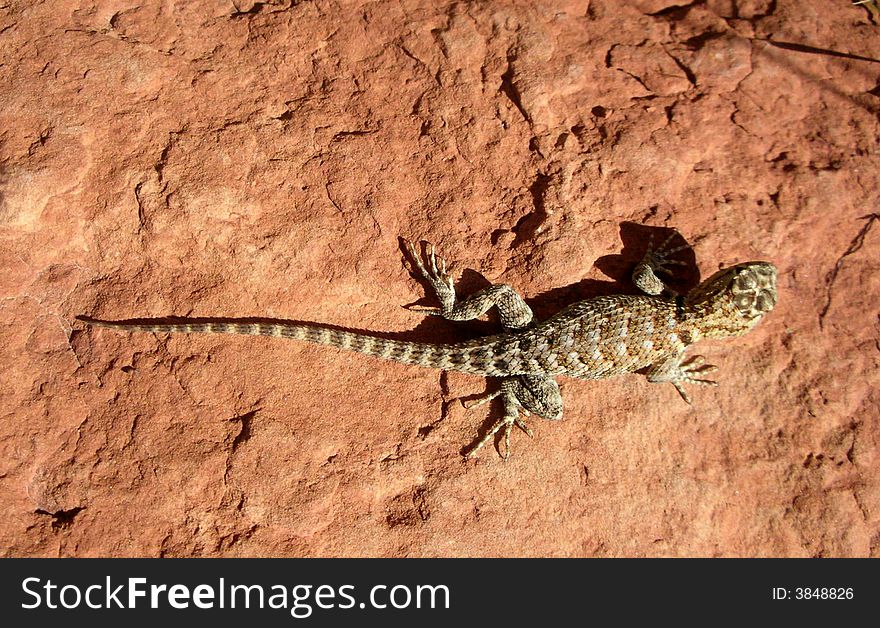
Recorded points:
(468,357)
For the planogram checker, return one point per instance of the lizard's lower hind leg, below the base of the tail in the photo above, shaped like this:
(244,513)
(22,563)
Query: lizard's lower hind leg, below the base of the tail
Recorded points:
(527,394)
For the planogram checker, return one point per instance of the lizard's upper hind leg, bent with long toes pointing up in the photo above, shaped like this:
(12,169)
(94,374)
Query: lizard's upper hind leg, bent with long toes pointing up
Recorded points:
(513,311)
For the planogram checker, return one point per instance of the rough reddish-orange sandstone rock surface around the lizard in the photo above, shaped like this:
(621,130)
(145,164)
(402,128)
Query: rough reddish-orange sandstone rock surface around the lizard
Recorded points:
(262,158)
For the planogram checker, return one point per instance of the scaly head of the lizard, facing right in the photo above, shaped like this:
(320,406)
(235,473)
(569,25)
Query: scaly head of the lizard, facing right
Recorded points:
(733,300)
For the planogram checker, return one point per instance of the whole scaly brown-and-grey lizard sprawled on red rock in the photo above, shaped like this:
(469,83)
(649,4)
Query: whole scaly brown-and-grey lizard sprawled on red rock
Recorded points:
(595,338)
